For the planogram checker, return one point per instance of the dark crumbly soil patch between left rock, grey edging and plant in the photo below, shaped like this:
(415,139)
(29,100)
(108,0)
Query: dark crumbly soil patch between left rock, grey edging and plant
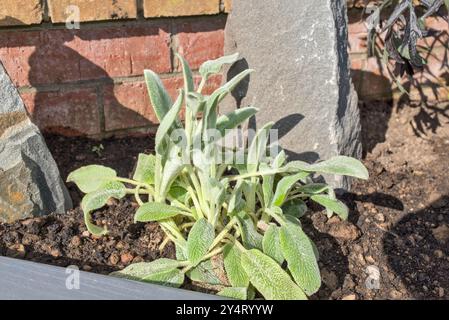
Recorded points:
(63,240)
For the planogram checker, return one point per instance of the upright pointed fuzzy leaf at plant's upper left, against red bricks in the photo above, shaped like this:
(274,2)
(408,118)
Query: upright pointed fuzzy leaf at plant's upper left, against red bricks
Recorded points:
(160,99)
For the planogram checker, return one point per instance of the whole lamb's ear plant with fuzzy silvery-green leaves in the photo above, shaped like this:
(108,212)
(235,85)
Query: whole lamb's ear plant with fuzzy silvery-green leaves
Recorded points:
(243,214)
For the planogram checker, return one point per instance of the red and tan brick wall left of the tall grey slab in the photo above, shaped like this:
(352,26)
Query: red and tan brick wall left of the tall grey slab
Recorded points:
(90,81)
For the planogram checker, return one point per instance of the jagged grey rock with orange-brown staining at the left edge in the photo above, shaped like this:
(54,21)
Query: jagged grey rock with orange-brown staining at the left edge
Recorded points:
(30,184)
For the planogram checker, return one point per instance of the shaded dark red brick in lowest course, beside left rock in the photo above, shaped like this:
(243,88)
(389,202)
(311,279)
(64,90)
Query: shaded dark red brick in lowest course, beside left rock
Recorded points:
(69,112)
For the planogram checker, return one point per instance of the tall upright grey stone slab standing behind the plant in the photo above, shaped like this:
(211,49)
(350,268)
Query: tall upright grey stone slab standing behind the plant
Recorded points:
(298,49)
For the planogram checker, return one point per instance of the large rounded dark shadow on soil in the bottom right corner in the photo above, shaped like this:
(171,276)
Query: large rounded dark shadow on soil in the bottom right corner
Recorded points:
(417,249)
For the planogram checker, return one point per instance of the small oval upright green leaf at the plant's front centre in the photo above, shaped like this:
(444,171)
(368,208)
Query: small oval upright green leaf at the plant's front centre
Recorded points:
(200,238)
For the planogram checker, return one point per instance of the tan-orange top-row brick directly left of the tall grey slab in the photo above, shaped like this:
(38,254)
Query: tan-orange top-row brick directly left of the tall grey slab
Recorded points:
(177,8)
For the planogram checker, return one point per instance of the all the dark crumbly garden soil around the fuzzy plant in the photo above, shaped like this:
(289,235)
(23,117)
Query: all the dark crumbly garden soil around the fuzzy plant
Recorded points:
(394,246)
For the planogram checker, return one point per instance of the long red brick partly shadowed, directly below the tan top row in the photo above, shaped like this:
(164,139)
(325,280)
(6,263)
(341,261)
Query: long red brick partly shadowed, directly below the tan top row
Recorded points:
(59,55)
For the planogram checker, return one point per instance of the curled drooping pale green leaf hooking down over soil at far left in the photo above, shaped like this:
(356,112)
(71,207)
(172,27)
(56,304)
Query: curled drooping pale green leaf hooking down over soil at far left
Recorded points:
(97,199)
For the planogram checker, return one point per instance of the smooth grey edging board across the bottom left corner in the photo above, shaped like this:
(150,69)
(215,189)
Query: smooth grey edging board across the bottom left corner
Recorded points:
(24,280)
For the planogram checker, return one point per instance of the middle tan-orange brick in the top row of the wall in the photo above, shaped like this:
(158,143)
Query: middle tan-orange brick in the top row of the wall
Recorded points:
(90,10)
